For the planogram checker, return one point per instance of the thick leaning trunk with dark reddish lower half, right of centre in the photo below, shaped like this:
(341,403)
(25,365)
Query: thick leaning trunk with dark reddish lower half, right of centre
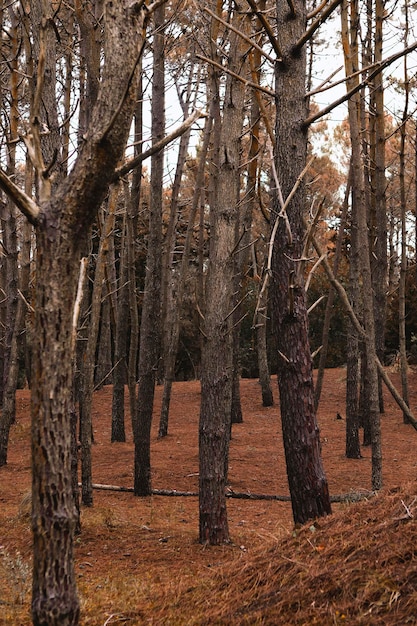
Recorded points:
(307,481)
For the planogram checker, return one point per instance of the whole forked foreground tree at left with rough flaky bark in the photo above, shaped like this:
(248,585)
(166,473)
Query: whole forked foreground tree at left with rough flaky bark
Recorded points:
(61,218)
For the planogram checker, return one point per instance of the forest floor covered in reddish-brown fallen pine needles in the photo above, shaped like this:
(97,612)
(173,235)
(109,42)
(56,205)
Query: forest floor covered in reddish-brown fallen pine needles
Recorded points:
(138,560)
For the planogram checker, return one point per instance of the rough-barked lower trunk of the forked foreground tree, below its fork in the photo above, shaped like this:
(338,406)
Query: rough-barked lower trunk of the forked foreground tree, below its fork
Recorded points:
(54,515)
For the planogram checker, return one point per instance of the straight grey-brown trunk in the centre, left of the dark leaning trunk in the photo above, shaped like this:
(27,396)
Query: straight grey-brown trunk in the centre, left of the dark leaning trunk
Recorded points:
(217,363)
